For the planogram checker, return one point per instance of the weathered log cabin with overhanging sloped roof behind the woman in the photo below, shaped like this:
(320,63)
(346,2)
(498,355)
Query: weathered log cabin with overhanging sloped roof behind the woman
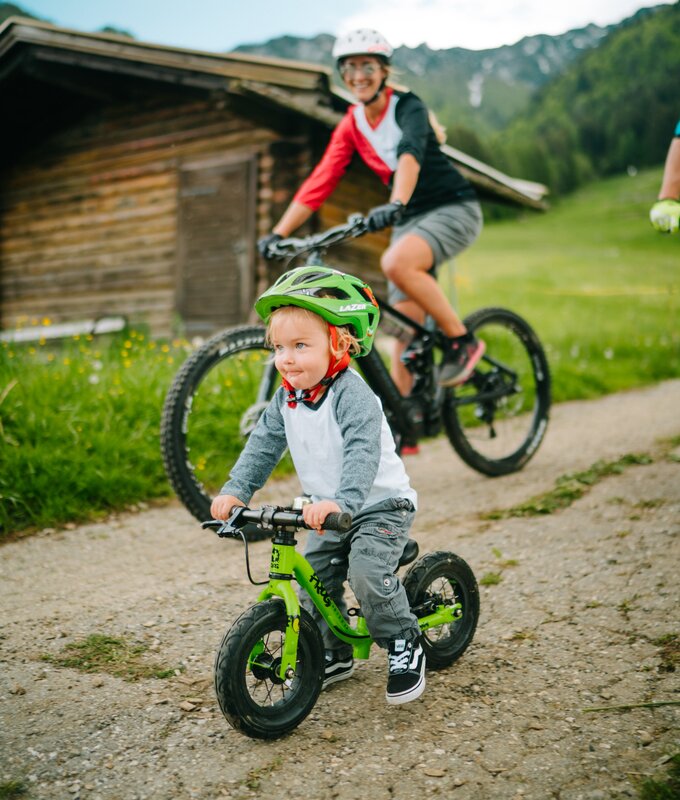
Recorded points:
(135,179)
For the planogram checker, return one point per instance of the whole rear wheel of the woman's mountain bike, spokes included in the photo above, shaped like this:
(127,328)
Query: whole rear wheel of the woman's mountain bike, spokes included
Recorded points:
(497,419)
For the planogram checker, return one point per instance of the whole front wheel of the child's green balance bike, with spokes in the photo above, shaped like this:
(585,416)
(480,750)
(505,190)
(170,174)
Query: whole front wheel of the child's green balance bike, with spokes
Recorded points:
(249,690)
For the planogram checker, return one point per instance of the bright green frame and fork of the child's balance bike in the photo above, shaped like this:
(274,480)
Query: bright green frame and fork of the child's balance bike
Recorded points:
(286,564)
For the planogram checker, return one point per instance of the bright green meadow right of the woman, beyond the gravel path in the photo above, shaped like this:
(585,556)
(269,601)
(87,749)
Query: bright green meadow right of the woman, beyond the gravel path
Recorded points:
(598,284)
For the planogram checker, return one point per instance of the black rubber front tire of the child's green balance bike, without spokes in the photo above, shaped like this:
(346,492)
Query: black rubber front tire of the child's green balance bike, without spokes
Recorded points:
(231,662)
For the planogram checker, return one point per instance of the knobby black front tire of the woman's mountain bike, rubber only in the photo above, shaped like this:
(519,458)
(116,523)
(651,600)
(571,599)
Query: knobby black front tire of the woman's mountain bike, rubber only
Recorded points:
(184,482)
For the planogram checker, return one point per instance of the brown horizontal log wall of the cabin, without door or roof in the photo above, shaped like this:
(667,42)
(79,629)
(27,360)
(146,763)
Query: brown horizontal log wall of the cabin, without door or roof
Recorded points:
(89,219)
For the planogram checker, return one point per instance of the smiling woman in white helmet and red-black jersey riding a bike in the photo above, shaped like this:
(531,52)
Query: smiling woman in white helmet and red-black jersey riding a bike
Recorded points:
(433,209)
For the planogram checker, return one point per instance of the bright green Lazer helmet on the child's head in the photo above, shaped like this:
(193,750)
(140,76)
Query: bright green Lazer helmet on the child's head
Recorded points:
(339,298)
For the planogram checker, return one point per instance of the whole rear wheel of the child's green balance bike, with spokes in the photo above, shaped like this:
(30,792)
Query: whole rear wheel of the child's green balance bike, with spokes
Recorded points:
(437,579)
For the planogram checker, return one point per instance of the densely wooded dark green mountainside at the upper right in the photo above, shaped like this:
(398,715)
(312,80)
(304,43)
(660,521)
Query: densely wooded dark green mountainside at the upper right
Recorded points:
(612,110)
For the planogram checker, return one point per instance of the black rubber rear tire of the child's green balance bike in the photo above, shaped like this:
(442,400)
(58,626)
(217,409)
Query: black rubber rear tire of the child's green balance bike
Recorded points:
(420,576)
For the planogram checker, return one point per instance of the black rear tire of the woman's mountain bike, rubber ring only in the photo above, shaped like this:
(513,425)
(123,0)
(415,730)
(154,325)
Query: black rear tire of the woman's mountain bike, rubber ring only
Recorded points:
(536,431)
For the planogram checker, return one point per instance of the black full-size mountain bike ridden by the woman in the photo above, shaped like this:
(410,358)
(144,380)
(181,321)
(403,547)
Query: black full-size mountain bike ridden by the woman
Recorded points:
(495,421)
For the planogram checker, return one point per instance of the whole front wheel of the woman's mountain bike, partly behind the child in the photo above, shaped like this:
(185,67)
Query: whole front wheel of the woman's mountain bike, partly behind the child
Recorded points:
(208,411)
